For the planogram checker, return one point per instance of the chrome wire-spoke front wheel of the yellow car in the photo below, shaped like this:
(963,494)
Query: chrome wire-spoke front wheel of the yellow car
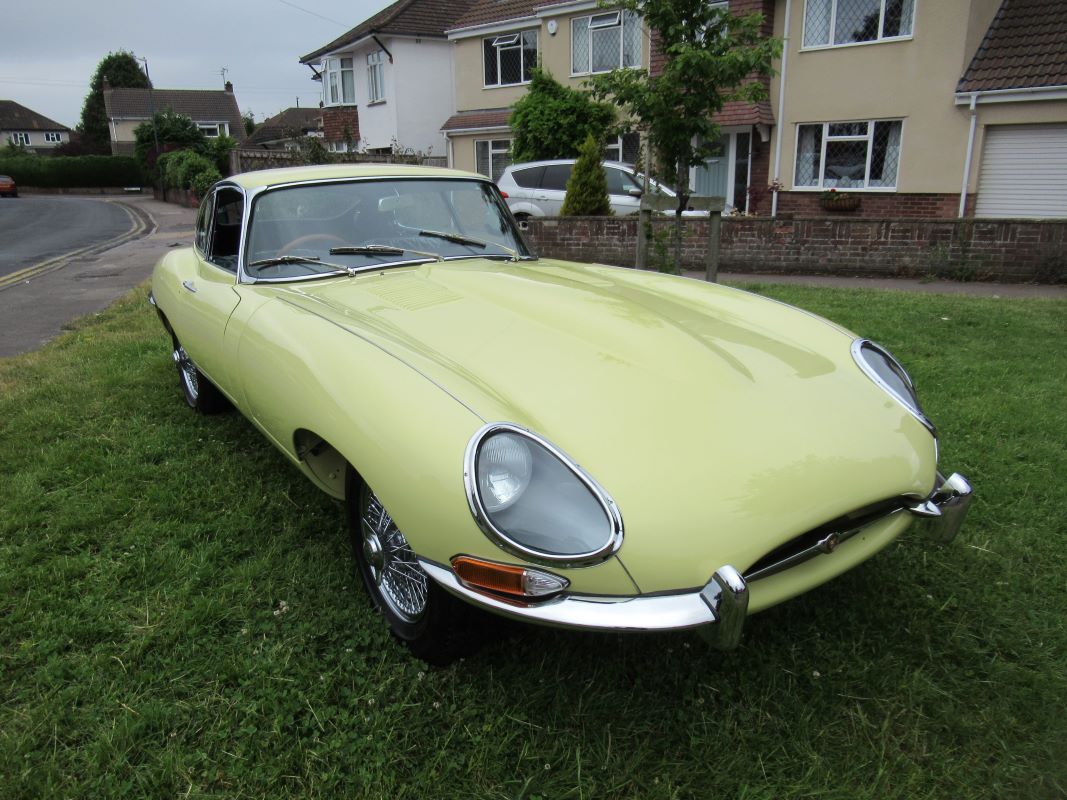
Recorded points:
(402,583)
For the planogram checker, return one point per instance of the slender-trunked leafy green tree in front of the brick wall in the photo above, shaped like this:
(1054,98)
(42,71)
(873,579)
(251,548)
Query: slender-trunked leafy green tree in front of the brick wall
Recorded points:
(712,57)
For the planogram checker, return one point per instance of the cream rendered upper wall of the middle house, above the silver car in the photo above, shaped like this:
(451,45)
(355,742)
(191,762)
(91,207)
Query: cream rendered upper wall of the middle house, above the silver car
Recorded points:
(554,53)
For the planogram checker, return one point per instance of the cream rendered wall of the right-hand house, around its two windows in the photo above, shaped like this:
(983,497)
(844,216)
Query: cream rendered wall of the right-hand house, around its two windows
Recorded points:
(914,81)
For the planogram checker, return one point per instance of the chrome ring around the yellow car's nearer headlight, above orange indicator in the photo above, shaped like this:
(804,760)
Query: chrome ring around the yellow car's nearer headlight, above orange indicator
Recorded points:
(613,519)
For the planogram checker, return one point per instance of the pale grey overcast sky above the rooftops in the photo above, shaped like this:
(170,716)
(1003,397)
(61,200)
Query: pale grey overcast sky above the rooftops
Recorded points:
(50,51)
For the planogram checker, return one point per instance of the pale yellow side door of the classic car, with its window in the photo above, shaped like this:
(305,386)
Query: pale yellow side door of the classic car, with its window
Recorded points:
(209,296)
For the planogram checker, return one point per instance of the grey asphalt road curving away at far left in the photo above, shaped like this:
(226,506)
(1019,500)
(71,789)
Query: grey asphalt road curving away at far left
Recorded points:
(36,229)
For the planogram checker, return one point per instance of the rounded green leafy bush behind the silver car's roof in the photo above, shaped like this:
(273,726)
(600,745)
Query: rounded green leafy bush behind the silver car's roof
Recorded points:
(552,121)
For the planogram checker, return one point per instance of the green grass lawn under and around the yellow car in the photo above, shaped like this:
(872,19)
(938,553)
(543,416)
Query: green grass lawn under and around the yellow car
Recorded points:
(179,616)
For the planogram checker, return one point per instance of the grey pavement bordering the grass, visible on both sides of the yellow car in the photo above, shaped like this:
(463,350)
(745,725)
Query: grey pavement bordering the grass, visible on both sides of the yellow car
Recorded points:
(35,310)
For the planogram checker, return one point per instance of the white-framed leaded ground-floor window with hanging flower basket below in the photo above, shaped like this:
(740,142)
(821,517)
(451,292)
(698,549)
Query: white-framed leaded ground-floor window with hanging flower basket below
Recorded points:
(849,155)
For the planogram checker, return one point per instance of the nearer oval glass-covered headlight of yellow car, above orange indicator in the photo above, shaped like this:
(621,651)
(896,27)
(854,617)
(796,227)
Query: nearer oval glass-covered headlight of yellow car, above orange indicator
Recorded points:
(535,502)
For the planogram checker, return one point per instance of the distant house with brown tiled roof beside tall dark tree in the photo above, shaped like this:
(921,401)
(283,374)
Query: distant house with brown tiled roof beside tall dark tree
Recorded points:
(214,111)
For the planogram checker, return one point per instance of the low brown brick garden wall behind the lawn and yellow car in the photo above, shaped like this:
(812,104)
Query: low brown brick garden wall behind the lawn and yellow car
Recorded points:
(1013,251)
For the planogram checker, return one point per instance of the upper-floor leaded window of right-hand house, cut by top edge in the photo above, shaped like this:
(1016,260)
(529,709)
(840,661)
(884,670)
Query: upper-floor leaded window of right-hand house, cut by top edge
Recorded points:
(831,23)
